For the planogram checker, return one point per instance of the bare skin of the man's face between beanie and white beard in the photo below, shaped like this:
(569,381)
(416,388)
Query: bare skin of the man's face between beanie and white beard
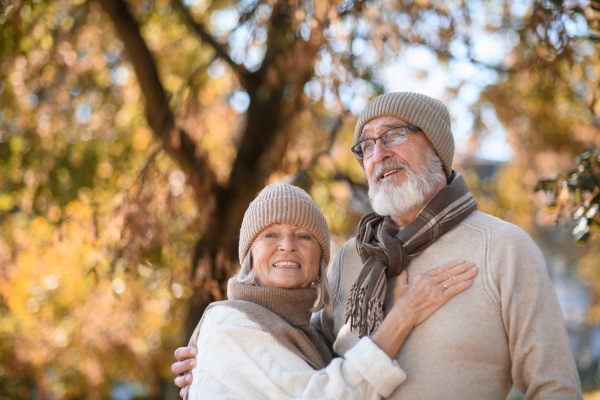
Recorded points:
(412,152)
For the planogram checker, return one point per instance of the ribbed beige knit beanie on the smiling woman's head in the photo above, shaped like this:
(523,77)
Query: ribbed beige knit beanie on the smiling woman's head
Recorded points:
(283,203)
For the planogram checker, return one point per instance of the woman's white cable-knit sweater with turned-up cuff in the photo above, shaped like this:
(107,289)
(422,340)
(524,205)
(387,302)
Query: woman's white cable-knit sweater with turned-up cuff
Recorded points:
(238,359)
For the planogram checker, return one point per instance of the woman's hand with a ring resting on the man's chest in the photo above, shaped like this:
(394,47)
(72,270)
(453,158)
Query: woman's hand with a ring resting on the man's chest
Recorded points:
(427,292)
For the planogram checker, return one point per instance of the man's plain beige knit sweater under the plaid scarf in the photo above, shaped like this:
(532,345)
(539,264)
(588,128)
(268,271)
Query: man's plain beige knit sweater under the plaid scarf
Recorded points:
(507,328)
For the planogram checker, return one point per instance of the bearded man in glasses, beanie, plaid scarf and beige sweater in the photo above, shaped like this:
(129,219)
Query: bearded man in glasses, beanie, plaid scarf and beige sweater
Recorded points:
(507,329)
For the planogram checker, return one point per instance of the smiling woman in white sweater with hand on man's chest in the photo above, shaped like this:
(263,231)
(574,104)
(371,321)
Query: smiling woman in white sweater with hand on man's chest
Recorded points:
(260,344)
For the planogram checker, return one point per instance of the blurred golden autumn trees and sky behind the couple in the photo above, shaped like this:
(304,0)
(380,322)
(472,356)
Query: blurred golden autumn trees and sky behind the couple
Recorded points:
(134,134)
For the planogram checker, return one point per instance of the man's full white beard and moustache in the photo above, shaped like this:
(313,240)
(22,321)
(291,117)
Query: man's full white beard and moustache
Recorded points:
(388,198)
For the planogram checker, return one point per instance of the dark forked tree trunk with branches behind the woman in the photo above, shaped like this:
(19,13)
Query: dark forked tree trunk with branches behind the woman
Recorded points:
(261,150)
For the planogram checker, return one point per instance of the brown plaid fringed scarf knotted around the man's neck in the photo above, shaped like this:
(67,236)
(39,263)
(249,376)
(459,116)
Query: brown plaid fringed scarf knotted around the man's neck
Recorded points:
(386,251)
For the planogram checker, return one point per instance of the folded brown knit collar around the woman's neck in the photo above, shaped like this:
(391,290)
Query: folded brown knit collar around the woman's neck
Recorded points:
(293,305)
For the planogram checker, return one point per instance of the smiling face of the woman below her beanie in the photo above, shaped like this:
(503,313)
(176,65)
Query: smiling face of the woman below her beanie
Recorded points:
(286,256)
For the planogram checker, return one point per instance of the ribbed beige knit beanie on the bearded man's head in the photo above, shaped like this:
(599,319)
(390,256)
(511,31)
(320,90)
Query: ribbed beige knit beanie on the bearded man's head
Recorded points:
(427,113)
